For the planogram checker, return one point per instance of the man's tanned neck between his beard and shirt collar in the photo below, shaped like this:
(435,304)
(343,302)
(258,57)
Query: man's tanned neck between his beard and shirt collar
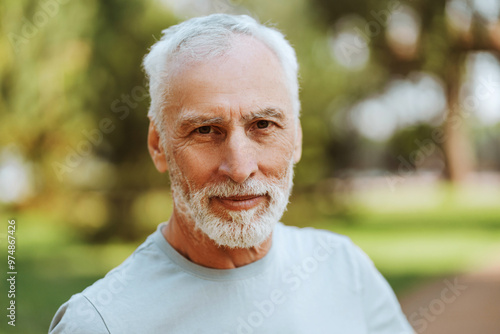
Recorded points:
(195,246)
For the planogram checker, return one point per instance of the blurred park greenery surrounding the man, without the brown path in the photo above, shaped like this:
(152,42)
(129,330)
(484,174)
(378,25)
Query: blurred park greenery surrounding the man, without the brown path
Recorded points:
(400,112)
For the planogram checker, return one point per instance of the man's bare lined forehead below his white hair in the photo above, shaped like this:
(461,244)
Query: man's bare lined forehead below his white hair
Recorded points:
(248,78)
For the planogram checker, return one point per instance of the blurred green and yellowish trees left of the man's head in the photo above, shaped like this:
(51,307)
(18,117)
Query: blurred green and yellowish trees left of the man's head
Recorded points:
(73,99)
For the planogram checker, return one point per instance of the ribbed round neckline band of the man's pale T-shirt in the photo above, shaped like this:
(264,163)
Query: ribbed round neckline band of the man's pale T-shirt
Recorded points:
(244,272)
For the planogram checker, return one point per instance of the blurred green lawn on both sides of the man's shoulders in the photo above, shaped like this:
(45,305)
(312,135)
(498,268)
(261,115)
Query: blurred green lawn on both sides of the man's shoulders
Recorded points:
(410,244)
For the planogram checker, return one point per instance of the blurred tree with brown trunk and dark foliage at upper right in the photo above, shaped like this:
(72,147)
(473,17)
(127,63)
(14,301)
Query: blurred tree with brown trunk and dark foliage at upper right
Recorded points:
(447,32)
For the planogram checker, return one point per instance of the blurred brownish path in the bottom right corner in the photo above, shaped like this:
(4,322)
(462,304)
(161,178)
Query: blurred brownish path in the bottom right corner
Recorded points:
(467,304)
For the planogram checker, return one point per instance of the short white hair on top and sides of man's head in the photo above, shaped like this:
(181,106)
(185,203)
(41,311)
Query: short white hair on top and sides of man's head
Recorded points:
(203,38)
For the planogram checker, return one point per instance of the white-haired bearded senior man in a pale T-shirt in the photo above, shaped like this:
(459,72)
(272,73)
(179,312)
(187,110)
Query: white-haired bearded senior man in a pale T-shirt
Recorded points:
(225,125)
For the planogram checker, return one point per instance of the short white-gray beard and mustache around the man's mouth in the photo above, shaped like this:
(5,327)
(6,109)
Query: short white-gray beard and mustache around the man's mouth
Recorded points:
(233,229)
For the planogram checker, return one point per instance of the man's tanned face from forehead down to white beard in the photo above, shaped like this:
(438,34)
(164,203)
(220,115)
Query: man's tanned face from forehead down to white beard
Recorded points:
(231,140)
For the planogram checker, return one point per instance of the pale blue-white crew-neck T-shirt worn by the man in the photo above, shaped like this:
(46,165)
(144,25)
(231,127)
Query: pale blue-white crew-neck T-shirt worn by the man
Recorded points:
(311,281)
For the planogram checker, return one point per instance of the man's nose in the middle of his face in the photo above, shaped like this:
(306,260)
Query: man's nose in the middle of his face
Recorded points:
(239,157)
